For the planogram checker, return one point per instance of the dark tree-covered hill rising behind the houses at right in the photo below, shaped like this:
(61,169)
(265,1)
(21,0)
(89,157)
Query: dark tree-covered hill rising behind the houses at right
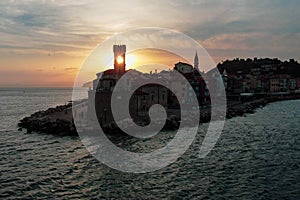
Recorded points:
(243,66)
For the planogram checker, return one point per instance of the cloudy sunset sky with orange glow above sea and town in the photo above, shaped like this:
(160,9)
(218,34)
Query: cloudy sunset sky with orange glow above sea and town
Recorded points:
(43,43)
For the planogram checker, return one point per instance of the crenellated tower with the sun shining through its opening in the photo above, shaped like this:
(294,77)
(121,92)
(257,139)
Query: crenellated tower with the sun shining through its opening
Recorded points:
(119,58)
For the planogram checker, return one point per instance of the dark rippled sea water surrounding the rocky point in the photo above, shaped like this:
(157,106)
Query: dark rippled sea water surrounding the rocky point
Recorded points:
(257,157)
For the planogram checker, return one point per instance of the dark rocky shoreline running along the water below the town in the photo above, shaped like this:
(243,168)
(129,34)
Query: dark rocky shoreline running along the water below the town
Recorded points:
(59,120)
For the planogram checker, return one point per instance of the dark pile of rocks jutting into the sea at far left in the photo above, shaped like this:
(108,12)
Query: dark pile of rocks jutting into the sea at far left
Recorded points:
(56,121)
